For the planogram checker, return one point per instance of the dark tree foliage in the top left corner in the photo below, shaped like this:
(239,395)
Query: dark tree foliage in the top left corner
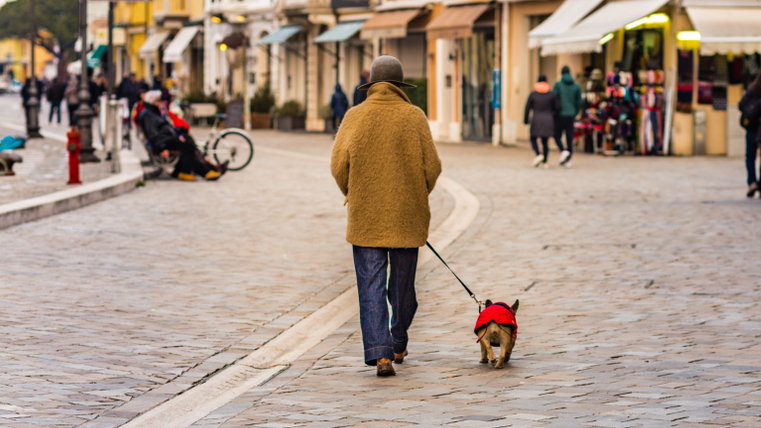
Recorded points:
(57,25)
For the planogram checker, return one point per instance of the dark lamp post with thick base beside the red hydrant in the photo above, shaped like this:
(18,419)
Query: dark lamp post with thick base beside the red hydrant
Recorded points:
(84,113)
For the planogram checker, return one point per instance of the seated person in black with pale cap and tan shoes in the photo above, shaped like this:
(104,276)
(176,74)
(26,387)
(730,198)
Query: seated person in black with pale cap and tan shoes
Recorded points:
(163,138)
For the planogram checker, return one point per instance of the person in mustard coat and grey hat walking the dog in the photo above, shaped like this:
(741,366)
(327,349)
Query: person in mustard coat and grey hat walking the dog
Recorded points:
(385,163)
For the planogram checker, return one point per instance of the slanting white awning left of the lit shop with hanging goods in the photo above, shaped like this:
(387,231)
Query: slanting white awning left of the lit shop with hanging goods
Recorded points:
(585,36)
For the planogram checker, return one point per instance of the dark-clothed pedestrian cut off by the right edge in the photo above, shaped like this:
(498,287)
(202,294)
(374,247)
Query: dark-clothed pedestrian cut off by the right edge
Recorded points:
(750,119)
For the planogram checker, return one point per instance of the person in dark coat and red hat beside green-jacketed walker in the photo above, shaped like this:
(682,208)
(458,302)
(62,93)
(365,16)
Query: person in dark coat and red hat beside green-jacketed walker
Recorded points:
(541,108)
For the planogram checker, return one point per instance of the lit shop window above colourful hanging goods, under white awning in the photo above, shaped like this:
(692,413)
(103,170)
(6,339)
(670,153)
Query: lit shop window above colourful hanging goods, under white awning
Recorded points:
(643,49)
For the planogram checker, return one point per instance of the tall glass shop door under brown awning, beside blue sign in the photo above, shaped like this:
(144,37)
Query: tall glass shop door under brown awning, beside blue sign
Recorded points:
(477,66)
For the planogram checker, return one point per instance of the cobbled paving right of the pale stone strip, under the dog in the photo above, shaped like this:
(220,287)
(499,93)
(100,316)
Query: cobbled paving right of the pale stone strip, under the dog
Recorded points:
(638,280)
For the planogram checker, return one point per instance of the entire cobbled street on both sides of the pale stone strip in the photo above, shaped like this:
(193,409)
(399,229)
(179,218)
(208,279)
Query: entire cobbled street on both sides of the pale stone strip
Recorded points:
(638,280)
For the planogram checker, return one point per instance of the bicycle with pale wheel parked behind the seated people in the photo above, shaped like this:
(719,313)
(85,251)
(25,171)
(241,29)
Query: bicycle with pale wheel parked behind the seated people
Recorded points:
(229,144)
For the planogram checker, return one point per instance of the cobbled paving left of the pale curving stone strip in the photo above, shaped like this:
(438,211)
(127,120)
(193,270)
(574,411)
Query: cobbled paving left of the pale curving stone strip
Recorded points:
(102,307)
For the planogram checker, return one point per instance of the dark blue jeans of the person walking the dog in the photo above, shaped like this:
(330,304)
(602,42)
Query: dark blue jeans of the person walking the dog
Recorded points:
(381,339)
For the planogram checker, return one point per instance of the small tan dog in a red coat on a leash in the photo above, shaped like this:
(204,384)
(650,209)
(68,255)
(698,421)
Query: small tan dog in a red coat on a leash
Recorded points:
(497,326)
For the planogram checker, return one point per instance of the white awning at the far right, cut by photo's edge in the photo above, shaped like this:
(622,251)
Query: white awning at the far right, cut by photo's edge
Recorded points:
(727,29)
